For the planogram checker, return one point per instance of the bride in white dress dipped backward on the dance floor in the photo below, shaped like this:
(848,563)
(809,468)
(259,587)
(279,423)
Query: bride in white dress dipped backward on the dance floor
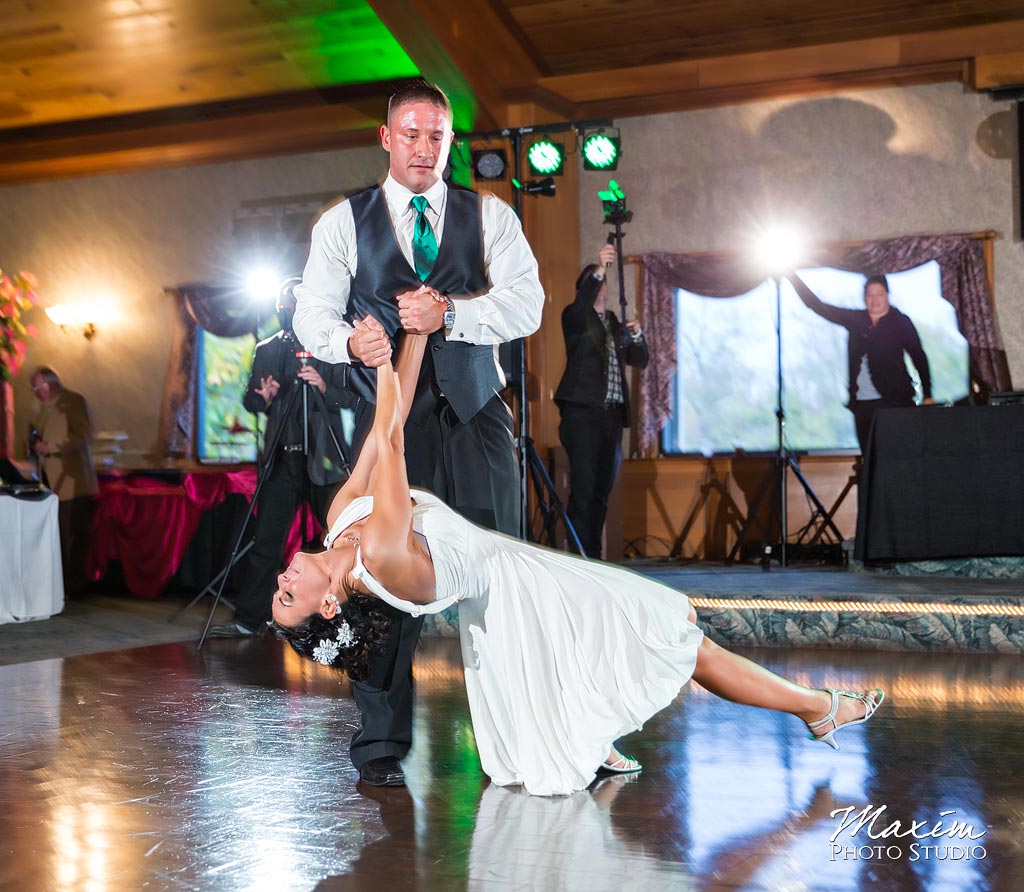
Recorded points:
(563,656)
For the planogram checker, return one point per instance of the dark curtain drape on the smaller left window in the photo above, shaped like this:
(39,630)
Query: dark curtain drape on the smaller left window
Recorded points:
(224,312)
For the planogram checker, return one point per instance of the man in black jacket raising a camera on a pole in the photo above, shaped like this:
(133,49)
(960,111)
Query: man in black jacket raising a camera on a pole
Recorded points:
(594,399)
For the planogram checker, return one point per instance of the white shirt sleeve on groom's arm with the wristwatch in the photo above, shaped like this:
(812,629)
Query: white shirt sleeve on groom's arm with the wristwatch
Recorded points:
(513,308)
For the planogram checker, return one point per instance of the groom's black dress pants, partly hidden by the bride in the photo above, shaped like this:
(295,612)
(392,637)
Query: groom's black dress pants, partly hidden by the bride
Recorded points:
(474,469)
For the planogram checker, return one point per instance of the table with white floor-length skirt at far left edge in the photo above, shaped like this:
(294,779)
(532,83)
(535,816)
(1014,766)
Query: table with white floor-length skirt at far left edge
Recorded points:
(31,582)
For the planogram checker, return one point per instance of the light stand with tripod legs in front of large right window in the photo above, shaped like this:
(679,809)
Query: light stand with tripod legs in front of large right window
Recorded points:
(784,462)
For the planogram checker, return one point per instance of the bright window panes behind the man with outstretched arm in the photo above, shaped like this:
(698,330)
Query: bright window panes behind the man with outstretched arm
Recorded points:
(726,387)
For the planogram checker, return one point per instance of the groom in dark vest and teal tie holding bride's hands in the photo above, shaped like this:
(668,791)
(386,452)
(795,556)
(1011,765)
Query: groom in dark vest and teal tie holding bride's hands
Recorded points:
(428,259)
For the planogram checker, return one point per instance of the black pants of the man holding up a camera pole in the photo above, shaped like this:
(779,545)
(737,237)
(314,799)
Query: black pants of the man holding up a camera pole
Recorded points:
(593,441)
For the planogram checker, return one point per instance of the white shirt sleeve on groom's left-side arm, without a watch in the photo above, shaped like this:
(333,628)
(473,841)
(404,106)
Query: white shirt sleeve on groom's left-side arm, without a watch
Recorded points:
(322,298)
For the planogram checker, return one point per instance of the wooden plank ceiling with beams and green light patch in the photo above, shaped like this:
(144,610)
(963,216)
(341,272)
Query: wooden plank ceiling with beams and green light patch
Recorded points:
(91,87)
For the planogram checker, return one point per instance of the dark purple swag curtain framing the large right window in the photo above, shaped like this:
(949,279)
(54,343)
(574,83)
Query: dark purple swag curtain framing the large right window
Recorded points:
(965,285)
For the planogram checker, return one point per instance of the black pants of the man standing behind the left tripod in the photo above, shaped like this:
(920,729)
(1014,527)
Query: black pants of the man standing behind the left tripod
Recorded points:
(279,499)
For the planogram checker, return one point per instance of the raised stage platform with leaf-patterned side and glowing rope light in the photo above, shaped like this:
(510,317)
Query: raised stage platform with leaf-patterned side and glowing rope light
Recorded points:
(888,610)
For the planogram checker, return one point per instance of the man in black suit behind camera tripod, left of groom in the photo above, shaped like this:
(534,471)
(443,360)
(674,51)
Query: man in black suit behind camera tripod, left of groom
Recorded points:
(291,477)
